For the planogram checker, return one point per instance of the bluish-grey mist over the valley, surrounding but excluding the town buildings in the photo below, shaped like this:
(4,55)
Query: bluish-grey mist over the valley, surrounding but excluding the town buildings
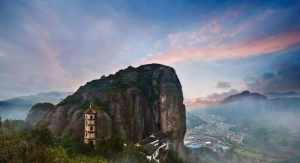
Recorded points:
(271,130)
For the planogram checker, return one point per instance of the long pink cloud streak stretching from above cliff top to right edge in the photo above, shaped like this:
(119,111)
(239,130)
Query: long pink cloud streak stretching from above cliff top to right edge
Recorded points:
(262,46)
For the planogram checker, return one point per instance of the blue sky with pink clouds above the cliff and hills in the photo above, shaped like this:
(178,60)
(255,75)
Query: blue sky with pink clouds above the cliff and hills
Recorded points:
(216,47)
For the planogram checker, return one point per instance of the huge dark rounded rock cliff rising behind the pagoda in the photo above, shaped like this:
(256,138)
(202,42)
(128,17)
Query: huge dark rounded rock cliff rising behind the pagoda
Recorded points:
(131,104)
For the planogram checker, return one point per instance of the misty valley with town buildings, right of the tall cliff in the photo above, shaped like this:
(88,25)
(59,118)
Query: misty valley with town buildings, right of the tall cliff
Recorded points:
(247,130)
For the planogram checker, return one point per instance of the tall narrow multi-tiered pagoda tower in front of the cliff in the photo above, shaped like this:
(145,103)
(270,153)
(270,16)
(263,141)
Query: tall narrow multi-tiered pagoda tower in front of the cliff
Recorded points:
(90,126)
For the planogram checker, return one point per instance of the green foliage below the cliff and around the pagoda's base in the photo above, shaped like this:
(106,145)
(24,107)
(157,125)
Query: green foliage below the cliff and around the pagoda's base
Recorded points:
(39,145)
